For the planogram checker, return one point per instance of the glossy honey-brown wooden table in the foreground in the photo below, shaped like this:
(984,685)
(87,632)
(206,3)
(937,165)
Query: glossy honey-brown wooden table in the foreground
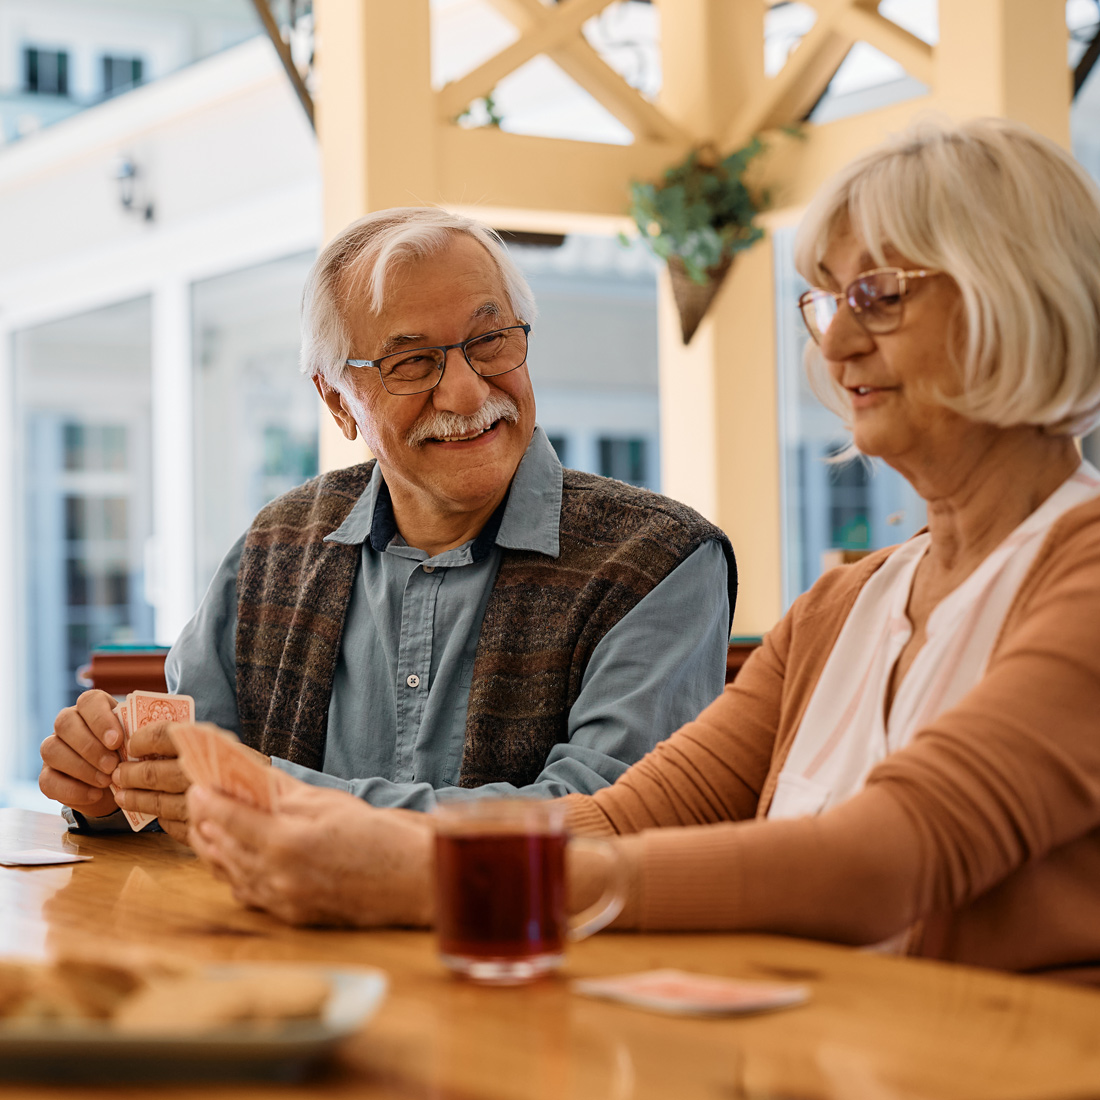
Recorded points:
(877,1029)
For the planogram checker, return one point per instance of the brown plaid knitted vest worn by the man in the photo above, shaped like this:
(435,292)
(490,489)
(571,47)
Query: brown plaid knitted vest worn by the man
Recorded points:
(544,619)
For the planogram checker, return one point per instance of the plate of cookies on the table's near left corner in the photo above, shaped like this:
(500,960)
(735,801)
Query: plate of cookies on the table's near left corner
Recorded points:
(86,1020)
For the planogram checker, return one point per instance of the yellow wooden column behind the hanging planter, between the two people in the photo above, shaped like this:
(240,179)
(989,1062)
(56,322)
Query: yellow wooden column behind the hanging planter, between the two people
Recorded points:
(720,428)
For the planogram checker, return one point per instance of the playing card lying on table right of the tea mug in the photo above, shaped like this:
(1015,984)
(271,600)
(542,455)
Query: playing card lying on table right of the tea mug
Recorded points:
(678,992)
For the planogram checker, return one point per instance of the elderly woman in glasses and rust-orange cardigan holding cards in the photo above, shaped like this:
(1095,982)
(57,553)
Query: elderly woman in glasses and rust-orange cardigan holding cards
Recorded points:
(914,755)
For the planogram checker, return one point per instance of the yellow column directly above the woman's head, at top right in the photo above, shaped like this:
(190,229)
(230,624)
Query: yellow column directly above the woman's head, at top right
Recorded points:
(1006,58)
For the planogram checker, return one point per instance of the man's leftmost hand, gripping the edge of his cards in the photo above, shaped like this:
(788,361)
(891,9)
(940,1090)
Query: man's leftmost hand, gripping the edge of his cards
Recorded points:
(80,756)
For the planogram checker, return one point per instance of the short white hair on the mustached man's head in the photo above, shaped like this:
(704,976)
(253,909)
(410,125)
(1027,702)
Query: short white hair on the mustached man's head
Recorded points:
(359,262)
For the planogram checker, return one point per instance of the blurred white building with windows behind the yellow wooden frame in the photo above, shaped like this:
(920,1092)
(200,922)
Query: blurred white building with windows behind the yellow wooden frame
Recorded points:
(161,201)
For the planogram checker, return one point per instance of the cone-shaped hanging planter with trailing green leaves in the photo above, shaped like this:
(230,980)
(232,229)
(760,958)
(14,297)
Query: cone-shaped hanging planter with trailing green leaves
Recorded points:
(697,219)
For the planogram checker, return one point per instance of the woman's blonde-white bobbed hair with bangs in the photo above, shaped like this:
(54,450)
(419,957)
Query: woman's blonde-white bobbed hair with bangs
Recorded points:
(1016,223)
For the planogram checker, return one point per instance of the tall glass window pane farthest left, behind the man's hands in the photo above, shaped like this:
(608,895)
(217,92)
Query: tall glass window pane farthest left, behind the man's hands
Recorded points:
(83,400)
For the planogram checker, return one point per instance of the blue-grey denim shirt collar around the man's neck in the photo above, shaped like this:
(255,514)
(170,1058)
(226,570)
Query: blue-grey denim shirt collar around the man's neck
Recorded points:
(529,518)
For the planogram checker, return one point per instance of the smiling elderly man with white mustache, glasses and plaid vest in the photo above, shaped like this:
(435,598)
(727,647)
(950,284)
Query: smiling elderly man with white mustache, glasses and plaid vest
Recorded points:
(459,613)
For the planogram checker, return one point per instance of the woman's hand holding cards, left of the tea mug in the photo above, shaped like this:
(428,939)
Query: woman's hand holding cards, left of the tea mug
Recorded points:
(324,859)
